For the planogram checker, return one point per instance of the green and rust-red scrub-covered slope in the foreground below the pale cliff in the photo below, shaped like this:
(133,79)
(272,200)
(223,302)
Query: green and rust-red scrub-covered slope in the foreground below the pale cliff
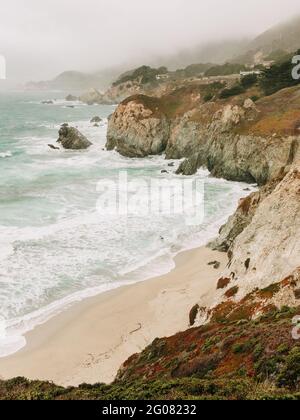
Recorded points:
(238,359)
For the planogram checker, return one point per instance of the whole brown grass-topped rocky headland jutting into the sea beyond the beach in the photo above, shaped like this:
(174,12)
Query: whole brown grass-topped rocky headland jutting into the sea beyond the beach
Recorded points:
(236,139)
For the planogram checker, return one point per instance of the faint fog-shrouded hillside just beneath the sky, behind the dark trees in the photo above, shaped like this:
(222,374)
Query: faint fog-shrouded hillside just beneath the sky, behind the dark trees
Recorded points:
(273,44)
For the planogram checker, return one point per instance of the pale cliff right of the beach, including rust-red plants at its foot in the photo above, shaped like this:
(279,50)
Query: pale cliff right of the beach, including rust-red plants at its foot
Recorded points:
(263,243)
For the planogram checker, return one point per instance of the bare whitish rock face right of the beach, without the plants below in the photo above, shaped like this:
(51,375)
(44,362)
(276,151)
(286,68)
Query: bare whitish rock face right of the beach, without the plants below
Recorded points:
(267,251)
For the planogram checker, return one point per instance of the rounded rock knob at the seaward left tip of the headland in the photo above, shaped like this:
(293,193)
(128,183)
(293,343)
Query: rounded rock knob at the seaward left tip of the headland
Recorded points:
(138,128)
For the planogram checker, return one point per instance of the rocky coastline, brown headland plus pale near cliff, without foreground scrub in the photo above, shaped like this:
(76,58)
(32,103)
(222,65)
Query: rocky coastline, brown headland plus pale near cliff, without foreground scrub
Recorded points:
(238,139)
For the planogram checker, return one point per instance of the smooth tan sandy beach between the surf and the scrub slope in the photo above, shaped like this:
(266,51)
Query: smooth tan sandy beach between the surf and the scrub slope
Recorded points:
(89,342)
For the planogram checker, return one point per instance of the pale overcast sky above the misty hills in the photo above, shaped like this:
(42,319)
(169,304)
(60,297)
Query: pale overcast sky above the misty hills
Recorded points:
(41,38)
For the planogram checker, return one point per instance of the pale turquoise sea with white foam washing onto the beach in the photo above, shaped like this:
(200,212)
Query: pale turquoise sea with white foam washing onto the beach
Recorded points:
(55,248)
